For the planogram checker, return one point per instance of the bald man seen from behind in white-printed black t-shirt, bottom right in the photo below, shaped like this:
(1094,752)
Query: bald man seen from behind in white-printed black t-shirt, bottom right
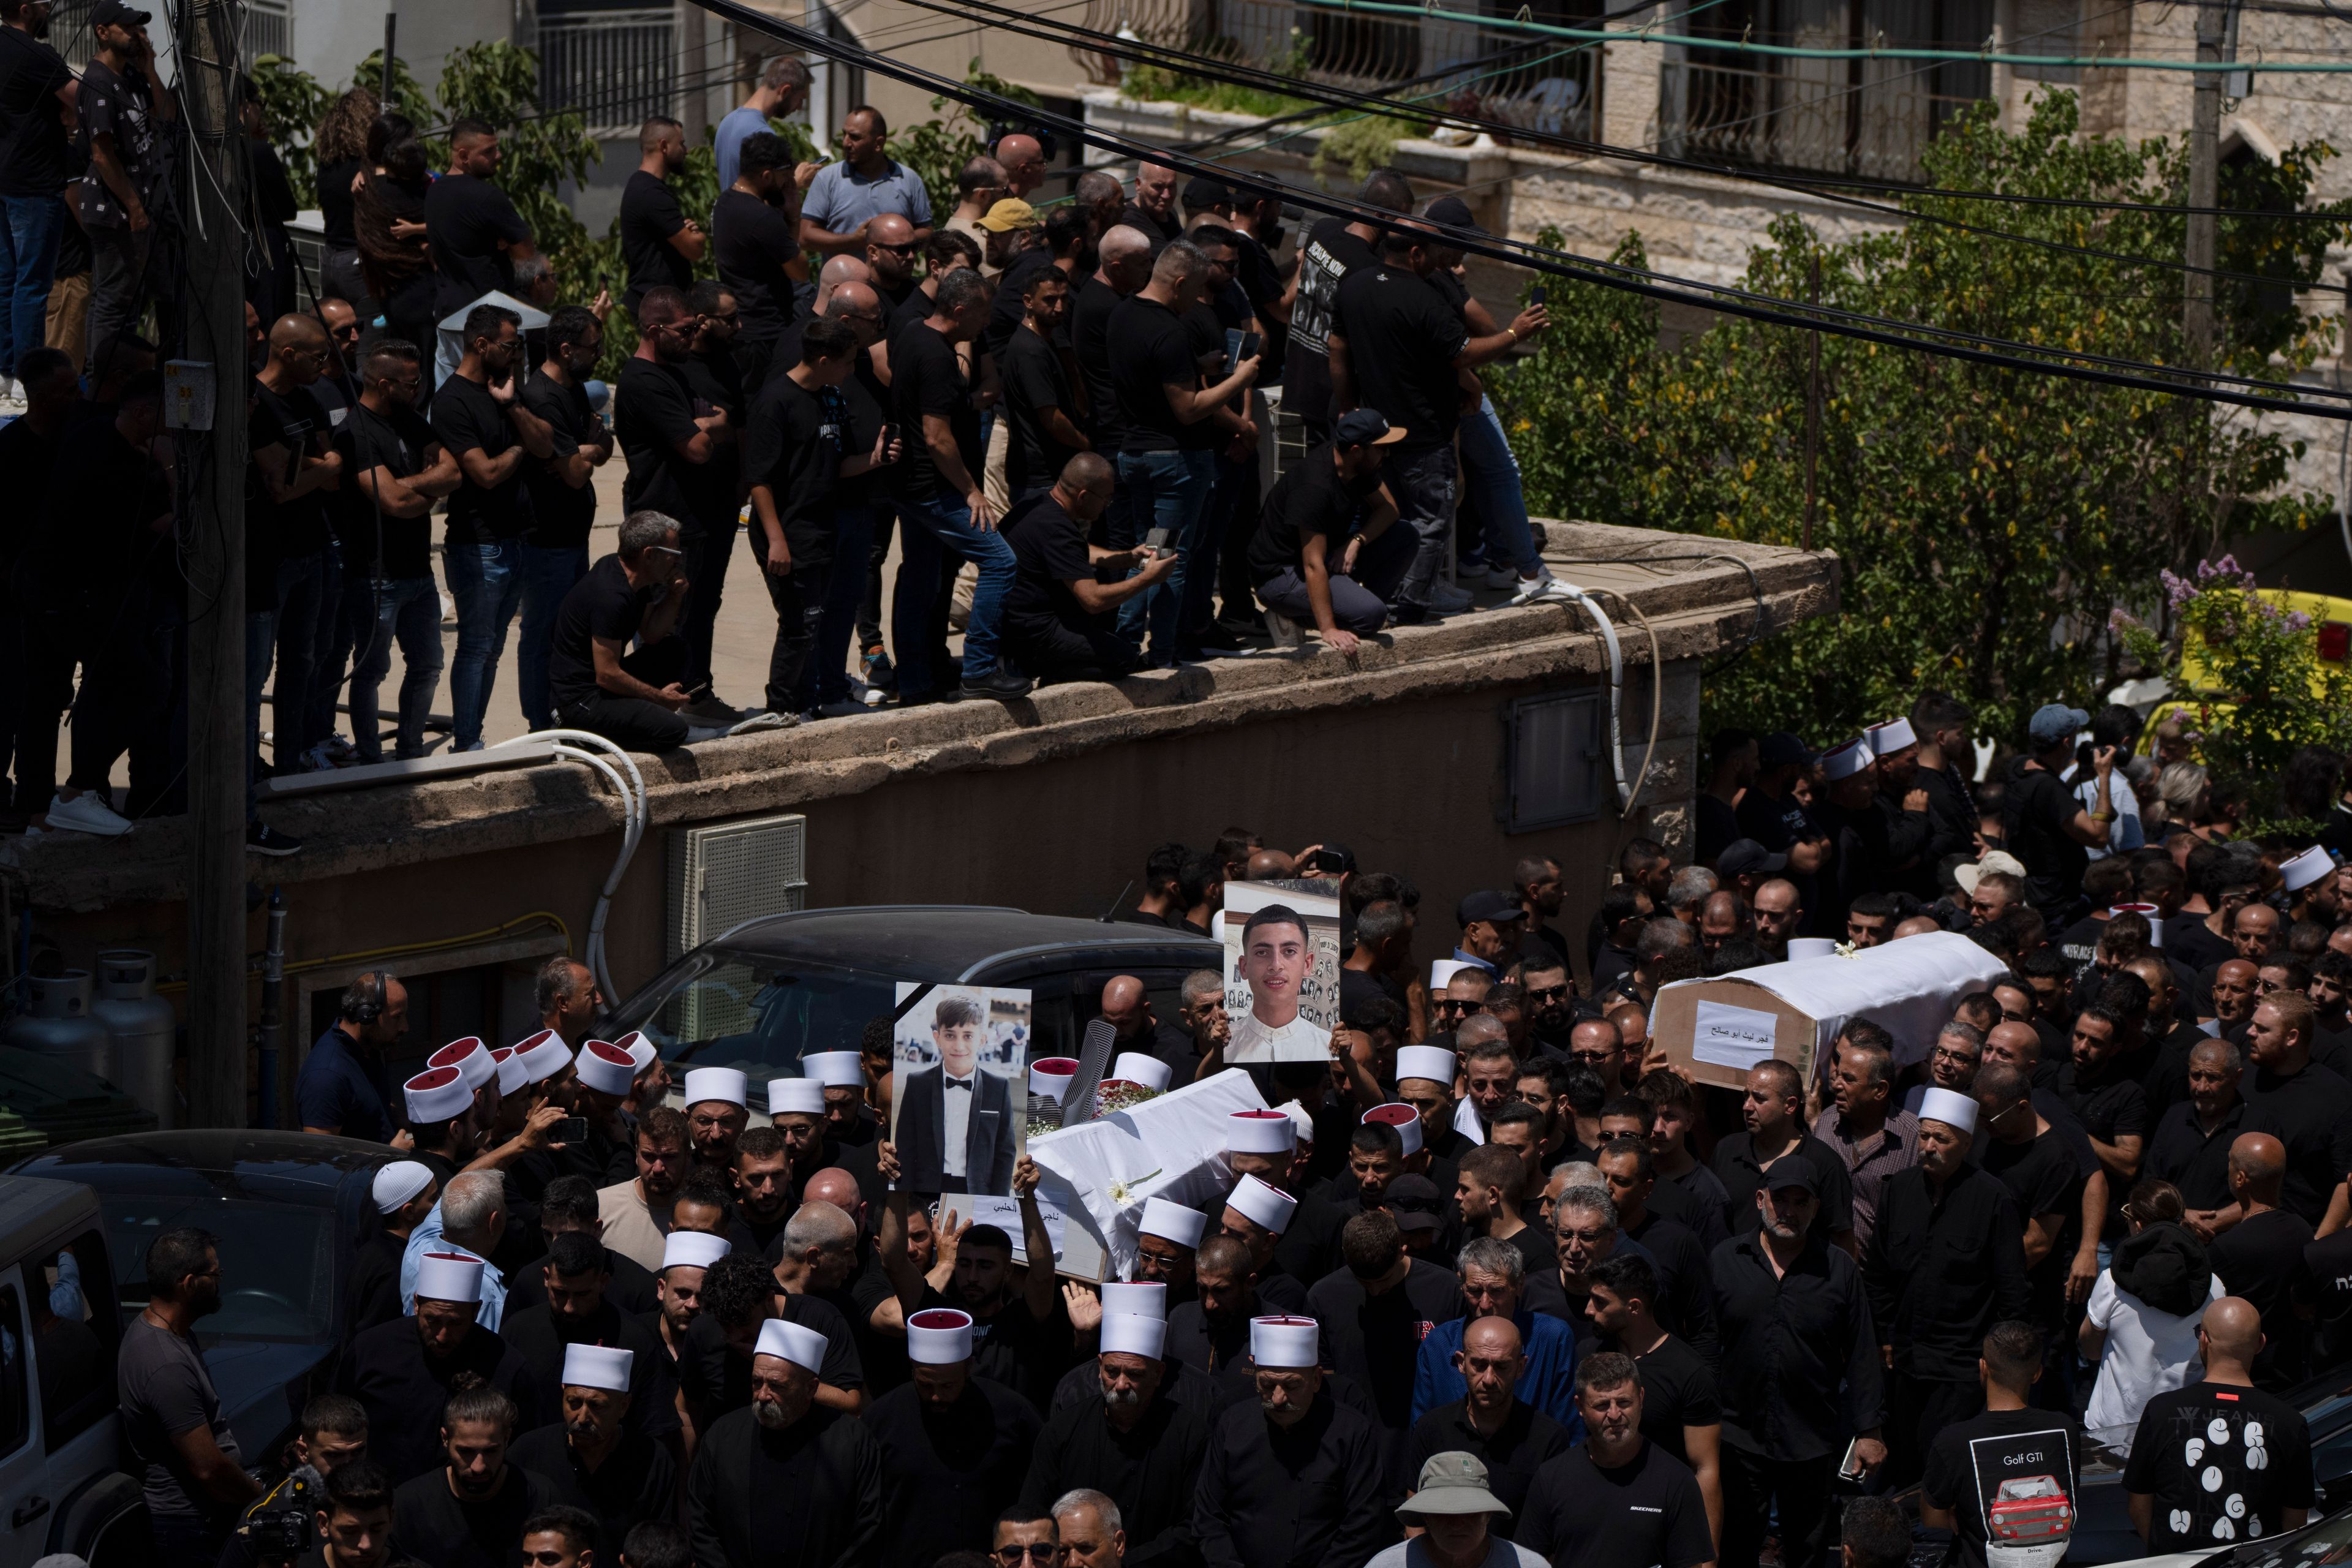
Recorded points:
(2219,1461)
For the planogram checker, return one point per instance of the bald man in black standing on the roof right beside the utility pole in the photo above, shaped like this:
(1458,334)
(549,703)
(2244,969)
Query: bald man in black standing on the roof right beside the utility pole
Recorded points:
(298,469)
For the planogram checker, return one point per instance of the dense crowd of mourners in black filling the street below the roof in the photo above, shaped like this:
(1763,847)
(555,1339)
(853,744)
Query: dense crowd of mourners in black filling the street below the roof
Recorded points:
(1495,1282)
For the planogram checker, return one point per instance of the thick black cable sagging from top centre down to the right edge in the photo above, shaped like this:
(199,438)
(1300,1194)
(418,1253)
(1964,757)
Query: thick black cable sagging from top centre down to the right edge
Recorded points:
(1979,349)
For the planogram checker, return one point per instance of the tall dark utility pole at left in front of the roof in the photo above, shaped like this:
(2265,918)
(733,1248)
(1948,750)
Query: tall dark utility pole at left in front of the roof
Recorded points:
(215,549)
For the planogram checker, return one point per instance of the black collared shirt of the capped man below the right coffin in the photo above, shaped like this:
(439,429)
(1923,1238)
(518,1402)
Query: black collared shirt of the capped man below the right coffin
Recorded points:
(1800,1365)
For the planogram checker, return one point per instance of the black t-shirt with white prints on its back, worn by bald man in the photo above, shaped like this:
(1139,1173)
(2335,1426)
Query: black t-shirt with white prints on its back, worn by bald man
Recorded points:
(2221,1463)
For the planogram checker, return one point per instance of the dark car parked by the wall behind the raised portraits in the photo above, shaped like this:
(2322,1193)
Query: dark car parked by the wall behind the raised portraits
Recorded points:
(780,989)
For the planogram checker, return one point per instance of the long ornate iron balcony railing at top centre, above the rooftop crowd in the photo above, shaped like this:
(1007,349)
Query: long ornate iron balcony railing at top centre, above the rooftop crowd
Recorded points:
(1448,60)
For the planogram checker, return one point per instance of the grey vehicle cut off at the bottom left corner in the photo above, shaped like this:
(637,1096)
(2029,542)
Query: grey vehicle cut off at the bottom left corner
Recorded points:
(60,1480)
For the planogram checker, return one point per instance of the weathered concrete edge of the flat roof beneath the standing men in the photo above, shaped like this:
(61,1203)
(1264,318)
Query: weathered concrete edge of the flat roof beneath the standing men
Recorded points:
(1695,610)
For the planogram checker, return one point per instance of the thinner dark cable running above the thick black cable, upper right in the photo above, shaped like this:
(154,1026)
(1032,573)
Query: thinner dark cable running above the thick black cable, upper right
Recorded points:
(1379,105)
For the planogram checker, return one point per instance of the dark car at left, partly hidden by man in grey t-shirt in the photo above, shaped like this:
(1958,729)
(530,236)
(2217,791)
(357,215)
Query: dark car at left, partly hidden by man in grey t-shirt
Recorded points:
(288,1209)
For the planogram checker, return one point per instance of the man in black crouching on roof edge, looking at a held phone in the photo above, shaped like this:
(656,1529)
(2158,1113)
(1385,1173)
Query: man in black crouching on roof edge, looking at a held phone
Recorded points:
(1057,617)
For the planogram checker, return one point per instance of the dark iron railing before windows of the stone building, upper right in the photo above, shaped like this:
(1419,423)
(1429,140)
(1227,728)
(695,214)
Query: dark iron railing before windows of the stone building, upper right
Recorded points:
(1833,116)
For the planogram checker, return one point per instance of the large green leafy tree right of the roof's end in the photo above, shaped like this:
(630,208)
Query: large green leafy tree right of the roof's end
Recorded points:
(1986,521)
